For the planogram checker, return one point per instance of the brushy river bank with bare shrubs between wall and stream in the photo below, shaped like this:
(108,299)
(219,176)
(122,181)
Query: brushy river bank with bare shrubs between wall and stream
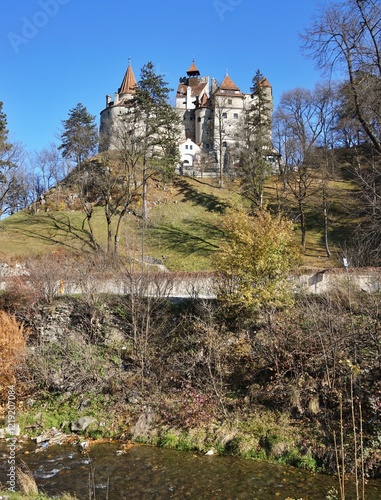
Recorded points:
(189,377)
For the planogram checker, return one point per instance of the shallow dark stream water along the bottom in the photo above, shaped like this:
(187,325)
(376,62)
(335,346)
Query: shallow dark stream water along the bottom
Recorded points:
(152,473)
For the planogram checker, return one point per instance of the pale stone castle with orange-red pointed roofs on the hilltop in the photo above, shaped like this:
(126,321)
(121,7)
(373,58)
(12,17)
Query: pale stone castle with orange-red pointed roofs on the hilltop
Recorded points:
(210,117)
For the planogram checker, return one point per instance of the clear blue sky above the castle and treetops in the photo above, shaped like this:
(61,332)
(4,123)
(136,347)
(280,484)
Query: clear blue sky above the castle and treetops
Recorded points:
(56,53)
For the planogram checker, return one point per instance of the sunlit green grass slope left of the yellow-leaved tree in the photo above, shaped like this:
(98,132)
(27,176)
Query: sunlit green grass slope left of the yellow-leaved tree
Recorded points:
(183,225)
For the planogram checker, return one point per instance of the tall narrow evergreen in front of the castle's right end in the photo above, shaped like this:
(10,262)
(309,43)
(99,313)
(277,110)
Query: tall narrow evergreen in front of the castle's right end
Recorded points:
(254,165)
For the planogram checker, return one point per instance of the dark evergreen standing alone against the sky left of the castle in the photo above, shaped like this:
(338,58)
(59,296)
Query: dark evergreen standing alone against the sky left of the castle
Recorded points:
(80,135)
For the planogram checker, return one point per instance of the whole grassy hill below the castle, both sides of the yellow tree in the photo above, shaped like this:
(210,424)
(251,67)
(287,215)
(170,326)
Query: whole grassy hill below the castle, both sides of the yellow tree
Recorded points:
(183,227)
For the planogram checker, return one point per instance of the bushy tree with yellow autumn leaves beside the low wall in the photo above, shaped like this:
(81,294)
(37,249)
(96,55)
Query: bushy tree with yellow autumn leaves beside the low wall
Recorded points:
(255,260)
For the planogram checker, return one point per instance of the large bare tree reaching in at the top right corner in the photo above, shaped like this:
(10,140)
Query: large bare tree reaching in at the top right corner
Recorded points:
(345,37)
